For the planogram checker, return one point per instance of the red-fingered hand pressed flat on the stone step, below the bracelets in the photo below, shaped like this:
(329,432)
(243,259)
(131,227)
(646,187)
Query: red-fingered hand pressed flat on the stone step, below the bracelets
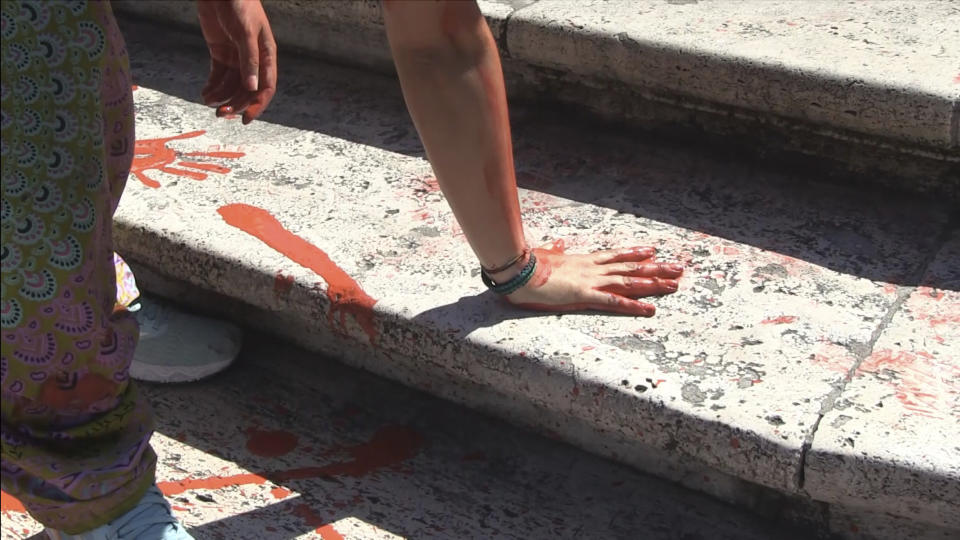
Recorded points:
(608,281)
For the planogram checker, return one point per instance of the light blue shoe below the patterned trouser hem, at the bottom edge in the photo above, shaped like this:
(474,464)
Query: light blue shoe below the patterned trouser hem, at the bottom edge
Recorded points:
(149,520)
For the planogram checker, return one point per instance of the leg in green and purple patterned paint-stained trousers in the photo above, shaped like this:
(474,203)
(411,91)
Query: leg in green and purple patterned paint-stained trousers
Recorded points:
(75,432)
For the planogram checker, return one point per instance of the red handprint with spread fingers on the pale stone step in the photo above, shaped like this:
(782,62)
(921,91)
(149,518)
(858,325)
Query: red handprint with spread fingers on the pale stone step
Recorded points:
(154,154)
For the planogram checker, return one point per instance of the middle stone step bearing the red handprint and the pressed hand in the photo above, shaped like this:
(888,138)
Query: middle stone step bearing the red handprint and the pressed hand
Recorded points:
(816,323)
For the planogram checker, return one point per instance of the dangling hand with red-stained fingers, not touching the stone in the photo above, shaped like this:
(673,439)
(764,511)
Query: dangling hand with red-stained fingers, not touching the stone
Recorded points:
(243,57)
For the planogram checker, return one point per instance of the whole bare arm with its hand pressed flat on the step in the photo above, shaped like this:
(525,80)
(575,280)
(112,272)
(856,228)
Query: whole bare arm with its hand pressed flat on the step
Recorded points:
(452,82)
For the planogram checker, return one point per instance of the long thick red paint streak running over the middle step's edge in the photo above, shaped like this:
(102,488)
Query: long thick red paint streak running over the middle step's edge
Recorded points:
(346,296)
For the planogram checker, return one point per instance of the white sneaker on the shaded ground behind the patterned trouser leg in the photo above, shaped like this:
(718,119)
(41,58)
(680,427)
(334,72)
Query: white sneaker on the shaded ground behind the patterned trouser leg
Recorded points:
(176,346)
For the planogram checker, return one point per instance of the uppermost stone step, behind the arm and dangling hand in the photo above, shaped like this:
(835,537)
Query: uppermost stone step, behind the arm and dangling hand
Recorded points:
(861,91)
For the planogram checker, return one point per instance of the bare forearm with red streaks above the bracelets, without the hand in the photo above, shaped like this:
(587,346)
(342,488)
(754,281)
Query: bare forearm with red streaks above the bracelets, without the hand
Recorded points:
(453,85)
